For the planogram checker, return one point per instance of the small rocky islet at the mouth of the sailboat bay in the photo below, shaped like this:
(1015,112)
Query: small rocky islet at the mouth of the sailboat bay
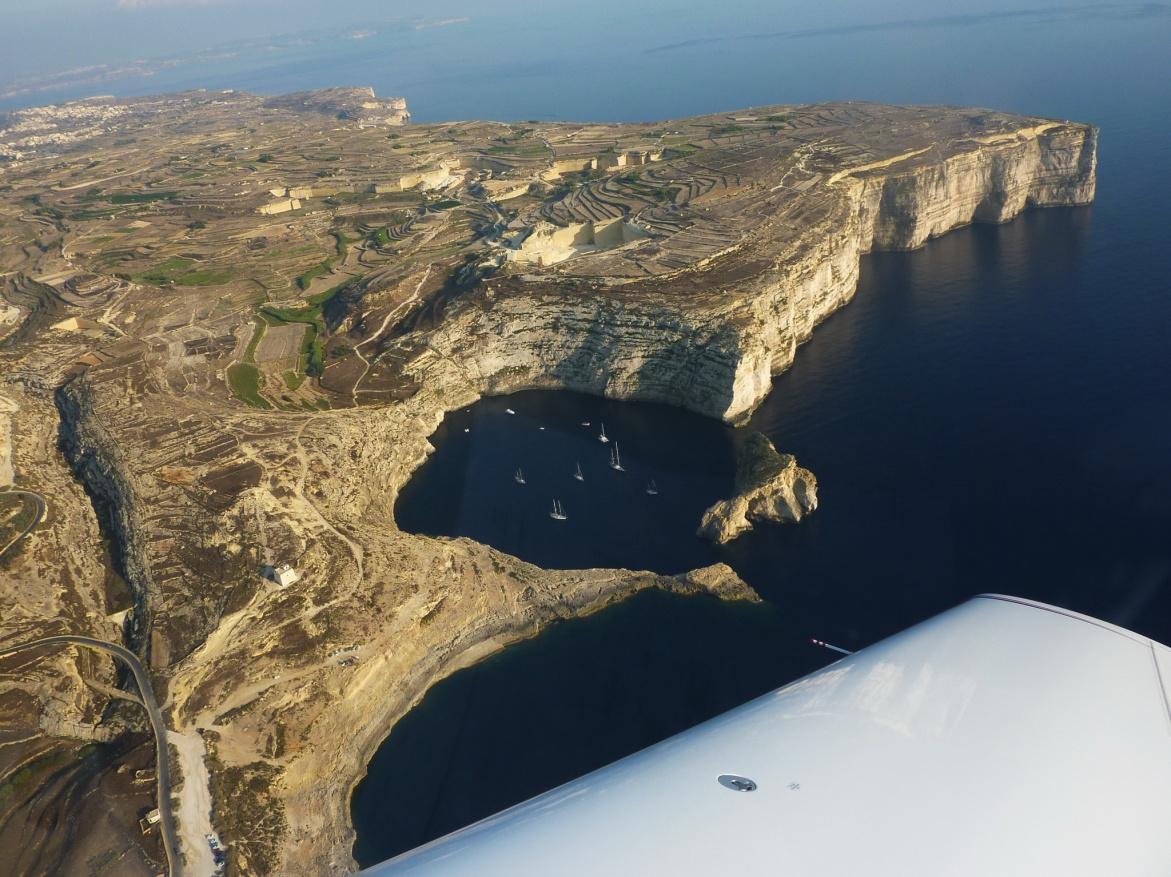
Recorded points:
(770,487)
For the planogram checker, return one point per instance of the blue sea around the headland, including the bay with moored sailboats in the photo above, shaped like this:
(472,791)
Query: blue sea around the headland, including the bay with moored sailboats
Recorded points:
(990,414)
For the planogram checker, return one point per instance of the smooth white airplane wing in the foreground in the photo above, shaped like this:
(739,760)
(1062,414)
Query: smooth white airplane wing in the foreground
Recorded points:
(1003,737)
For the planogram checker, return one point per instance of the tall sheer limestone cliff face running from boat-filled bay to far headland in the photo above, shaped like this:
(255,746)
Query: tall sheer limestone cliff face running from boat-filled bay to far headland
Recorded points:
(718,355)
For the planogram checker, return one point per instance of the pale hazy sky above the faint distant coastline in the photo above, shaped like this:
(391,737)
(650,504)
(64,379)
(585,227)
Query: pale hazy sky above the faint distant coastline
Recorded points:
(40,37)
